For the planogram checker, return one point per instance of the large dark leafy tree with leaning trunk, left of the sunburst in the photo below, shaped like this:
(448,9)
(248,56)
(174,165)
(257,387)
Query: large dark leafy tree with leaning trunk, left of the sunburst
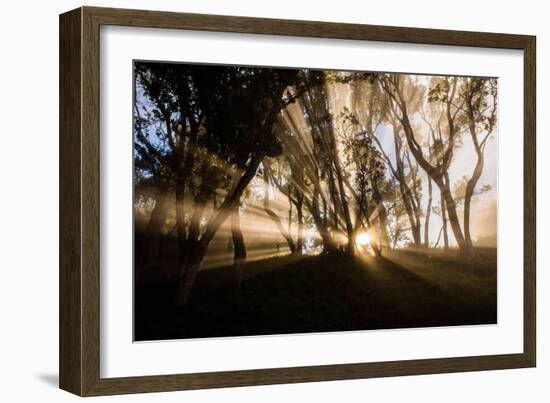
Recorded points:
(215,118)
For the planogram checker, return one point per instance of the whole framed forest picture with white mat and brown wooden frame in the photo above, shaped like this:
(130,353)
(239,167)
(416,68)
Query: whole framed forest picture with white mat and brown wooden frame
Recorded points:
(251,201)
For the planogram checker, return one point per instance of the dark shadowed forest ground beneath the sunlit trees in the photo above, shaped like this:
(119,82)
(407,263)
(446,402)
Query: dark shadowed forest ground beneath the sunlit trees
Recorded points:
(302,294)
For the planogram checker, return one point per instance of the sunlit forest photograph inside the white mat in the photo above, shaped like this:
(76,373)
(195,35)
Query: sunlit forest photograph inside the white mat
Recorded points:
(275,201)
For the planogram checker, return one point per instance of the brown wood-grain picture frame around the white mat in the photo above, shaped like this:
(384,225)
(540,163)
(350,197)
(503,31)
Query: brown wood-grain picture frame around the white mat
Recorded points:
(79,201)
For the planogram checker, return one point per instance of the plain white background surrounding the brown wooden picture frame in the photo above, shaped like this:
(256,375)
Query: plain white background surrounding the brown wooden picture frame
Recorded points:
(29,199)
